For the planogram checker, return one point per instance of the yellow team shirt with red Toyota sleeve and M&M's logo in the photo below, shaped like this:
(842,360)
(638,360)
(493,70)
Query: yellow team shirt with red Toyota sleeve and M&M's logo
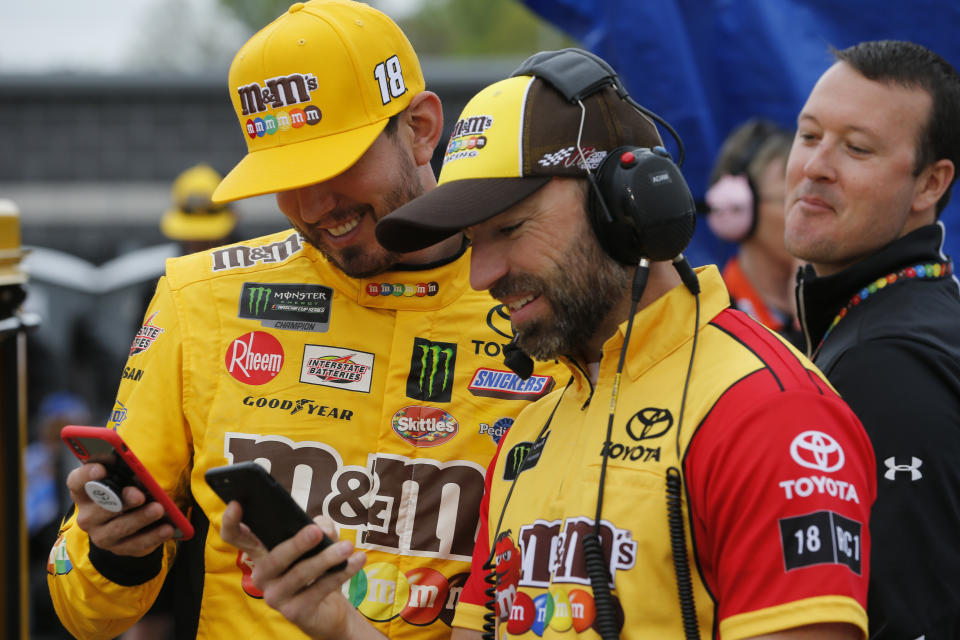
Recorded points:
(778,480)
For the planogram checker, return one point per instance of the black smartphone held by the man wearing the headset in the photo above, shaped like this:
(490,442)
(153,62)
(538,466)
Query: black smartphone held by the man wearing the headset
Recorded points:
(268,509)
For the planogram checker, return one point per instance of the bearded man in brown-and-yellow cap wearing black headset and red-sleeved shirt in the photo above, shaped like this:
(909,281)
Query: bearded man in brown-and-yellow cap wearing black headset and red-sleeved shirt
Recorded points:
(699,477)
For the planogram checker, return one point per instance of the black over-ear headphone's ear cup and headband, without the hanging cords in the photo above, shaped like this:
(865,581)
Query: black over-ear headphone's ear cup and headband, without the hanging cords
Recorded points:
(639,205)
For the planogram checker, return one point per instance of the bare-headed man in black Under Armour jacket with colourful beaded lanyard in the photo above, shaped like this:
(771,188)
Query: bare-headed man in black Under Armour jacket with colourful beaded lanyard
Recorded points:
(871,169)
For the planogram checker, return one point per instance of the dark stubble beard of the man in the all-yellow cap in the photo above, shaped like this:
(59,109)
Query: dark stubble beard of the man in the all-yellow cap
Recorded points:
(367,257)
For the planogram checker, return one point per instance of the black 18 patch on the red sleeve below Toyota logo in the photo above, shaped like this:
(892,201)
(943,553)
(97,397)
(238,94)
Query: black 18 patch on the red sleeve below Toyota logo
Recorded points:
(821,537)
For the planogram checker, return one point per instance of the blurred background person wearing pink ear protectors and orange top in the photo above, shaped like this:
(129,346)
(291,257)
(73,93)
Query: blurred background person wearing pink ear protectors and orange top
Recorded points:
(745,207)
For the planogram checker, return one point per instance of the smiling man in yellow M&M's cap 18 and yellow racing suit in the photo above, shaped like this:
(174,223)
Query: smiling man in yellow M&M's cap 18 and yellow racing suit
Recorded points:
(368,382)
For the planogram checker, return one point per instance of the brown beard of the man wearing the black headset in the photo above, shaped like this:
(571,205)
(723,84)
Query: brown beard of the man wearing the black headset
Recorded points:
(581,292)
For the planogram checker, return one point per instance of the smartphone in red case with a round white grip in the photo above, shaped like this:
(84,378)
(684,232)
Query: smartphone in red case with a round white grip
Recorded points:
(103,445)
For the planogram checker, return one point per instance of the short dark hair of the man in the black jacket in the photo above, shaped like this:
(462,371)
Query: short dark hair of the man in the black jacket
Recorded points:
(914,66)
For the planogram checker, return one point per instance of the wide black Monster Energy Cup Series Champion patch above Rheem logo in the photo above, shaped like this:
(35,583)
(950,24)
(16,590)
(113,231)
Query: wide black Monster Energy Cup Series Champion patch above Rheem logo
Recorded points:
(292,307)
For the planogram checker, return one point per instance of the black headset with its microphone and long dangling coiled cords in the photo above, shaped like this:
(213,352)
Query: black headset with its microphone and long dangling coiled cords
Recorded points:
(641,210)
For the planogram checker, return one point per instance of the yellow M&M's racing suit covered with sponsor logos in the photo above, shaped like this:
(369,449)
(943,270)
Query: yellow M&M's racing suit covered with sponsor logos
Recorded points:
(376,401)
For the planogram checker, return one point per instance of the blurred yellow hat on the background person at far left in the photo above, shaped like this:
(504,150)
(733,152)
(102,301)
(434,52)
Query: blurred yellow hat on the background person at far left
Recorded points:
(194,215)
